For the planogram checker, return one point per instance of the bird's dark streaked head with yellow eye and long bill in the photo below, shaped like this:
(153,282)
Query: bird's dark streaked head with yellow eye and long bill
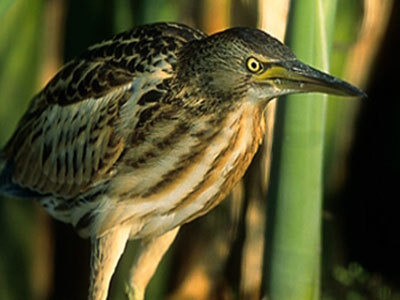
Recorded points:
(244,62)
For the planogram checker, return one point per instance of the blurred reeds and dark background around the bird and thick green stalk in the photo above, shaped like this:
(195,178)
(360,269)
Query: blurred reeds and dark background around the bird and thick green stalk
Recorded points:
(219,256)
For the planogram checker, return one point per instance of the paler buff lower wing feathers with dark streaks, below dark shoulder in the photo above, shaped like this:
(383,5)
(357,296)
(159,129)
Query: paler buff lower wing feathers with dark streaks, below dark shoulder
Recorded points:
(66,149)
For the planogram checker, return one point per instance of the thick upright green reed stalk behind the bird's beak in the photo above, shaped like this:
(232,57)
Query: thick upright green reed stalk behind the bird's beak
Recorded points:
(293,251)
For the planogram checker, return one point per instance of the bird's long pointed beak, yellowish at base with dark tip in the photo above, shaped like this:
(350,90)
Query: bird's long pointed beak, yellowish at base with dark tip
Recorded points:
(297,77)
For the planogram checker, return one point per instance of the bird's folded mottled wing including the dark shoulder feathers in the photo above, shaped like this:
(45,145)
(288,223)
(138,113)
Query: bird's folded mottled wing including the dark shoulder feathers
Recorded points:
(68,140)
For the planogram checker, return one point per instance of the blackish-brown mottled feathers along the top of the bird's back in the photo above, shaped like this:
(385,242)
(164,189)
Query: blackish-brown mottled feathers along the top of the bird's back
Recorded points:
(113,62)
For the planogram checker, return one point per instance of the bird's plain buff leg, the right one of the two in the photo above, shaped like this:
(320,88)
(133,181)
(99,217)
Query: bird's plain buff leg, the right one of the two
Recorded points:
(148,257)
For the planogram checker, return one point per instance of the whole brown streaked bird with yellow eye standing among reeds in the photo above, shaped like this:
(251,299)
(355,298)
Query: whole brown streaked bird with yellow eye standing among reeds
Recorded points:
(149,130)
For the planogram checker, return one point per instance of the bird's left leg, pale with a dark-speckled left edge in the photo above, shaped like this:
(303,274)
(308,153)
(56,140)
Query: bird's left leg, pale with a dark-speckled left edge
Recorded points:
(105,253)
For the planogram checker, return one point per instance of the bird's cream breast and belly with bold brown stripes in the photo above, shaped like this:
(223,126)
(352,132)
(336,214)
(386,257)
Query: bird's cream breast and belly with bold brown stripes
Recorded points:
(177,181)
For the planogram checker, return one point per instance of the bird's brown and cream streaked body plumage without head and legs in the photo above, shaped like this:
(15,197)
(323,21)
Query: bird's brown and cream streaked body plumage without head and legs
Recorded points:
(117,138)
